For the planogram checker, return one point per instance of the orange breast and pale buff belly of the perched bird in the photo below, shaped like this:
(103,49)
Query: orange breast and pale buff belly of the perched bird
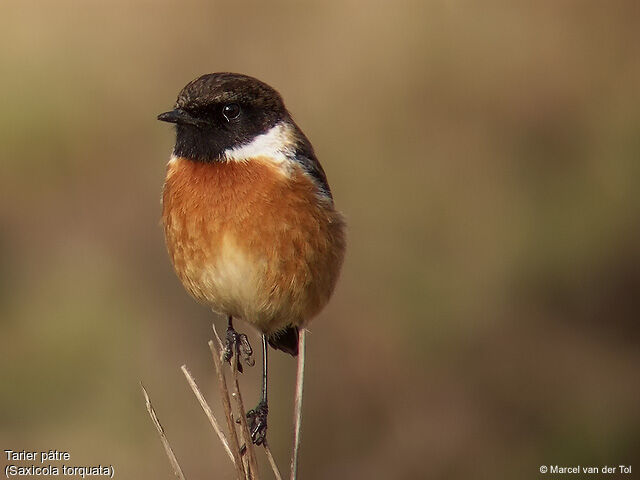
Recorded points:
(252,241)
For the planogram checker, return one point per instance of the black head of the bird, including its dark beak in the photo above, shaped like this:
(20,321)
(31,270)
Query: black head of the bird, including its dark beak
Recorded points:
(220,111)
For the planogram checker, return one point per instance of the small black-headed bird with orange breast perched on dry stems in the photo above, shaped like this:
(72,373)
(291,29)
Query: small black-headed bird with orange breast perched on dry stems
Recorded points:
(249,218)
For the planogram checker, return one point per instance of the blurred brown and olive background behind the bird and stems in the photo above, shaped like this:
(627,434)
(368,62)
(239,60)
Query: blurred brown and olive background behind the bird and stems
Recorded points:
(487,158)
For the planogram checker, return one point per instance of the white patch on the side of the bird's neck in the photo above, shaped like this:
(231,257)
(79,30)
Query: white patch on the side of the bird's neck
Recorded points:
(277,145)
